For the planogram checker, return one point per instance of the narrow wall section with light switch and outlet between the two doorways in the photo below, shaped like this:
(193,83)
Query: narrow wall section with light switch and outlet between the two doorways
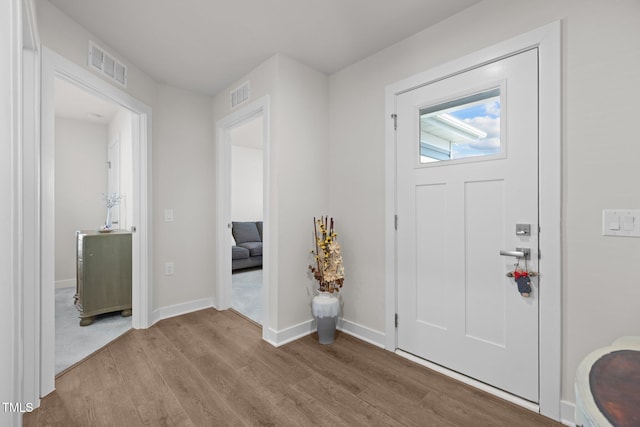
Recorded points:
(183,177)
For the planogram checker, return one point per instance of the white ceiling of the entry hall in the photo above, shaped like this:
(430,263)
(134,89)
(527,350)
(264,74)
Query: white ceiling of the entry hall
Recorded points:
(205,45)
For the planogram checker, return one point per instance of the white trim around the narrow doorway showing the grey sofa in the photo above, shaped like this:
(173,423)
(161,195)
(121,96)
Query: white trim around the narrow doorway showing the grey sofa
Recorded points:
(223,201)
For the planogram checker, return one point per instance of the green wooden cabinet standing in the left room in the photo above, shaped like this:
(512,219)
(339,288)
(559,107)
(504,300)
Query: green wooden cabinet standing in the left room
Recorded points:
(103,282)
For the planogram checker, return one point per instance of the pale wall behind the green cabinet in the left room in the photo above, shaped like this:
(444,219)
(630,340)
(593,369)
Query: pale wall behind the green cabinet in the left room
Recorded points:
(80,181)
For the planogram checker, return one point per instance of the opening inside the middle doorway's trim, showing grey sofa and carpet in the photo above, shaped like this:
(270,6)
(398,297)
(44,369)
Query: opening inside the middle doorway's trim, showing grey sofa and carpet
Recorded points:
(246,206)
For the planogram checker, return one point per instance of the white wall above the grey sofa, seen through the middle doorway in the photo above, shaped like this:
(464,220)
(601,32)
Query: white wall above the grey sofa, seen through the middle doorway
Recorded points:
(246,183)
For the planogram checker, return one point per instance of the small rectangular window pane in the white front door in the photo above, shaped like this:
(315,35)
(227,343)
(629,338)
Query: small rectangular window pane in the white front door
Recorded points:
(461,128)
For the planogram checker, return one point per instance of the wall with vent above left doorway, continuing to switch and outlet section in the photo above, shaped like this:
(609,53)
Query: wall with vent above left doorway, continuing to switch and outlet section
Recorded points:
(183,176)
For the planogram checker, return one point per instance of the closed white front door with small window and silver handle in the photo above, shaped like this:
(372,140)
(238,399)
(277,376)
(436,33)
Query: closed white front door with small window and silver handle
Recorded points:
(467,176)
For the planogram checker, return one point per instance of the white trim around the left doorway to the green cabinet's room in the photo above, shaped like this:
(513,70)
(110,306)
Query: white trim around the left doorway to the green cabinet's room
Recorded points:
(56,66)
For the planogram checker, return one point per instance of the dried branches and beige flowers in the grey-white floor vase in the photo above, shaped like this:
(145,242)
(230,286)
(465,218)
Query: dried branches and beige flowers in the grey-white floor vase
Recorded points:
(328,269)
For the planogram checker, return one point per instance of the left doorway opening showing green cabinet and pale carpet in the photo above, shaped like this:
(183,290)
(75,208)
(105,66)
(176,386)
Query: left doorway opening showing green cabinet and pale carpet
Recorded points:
(93,152)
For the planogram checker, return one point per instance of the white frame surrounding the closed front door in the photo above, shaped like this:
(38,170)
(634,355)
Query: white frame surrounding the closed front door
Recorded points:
(547,40)
